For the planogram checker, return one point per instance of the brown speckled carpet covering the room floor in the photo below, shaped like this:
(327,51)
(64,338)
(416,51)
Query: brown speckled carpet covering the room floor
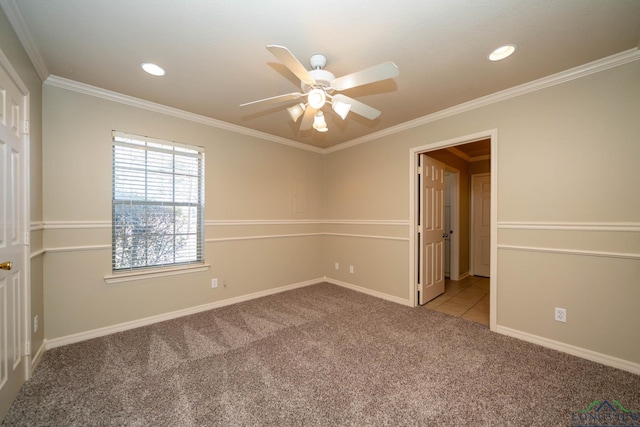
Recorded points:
(316,356)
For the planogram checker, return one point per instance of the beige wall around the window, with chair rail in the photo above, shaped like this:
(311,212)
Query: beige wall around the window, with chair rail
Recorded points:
(255,239)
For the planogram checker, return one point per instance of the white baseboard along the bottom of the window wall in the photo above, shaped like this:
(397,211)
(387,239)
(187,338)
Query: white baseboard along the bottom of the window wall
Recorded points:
(108,330)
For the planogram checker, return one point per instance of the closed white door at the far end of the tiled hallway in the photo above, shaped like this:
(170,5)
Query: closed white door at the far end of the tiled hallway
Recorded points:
(481,224)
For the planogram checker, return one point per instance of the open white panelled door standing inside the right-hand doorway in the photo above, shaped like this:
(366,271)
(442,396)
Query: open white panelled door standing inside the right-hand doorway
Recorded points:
(431,230)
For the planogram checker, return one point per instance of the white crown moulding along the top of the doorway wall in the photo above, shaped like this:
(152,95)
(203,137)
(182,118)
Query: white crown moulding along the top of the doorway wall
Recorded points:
(543,83)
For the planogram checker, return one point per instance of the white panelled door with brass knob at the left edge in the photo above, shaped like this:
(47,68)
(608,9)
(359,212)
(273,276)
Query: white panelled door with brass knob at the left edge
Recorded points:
(13,292)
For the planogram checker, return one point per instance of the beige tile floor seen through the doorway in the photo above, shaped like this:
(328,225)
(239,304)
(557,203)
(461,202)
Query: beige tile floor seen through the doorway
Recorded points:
(467,298)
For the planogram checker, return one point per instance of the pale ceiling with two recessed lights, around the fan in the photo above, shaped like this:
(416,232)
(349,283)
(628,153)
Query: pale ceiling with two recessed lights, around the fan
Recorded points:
(216,58)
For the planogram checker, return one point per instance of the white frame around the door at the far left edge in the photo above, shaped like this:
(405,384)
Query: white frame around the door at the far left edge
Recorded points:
(25,224)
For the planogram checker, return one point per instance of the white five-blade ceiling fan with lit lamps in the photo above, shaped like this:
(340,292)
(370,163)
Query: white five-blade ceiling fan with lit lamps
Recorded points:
(318,86)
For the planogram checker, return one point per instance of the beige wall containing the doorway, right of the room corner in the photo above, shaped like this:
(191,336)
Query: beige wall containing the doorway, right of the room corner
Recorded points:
(567,167)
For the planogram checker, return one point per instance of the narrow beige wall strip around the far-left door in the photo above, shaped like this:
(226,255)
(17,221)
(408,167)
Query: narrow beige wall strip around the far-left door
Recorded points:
(12,49)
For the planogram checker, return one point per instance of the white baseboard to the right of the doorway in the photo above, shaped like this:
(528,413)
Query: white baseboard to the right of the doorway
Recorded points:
(584,353)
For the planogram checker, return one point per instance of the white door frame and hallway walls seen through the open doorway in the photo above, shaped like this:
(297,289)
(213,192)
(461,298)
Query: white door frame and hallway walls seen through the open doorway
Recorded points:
(464,156)
